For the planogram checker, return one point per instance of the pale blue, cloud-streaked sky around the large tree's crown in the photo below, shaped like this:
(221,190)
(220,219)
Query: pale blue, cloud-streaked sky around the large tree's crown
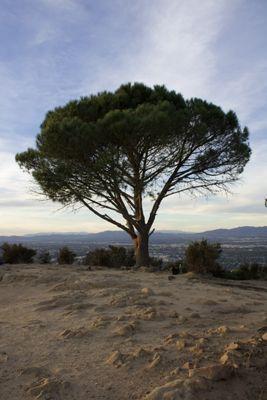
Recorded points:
(53,51)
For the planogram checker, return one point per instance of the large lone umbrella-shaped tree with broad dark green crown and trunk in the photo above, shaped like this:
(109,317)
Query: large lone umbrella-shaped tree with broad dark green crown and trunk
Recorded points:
(110,151)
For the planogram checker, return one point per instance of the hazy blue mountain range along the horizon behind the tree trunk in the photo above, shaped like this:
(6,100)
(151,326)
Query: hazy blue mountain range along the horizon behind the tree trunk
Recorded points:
(160,237)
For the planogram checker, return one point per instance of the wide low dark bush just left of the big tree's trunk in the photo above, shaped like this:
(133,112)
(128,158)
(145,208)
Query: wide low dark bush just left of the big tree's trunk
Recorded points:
(113,257)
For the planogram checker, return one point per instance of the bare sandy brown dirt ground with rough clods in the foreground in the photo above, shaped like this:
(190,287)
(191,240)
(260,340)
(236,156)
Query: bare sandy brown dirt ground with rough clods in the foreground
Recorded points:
(69,333)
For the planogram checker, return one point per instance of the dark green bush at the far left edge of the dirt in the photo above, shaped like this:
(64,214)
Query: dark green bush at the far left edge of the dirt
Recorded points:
(17,254)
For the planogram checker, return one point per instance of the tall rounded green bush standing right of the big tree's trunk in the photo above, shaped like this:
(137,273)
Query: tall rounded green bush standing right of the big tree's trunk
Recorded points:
(201,257)
